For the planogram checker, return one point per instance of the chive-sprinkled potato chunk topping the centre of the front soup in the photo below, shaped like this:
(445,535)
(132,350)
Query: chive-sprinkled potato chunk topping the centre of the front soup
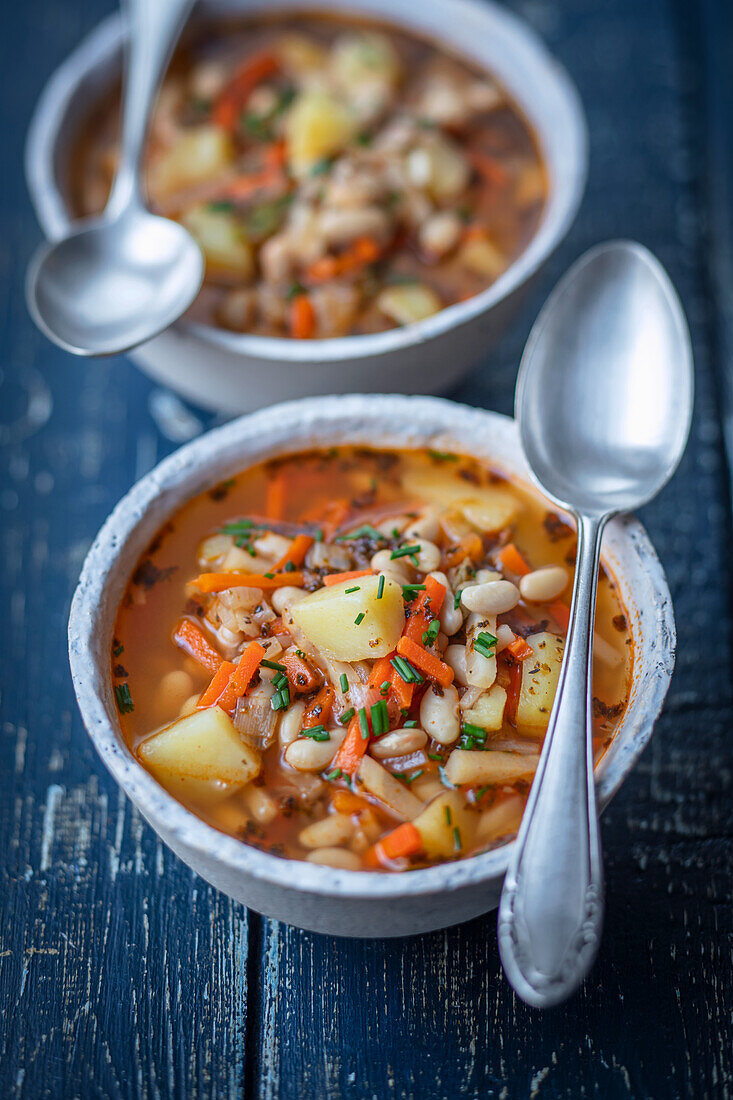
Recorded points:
(329,619)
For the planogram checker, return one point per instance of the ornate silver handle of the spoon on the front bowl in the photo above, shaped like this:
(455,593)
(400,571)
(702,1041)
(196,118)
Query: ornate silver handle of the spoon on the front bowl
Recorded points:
(552,907)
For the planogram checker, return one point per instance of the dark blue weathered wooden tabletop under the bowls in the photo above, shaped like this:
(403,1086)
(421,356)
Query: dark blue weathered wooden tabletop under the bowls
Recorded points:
(122,974)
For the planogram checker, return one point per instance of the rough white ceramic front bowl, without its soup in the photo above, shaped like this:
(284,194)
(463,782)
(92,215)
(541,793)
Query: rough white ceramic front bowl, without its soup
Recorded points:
(319,898)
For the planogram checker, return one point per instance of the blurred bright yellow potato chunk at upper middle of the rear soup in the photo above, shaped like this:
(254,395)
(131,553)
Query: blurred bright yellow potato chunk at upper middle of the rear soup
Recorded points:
(318,126)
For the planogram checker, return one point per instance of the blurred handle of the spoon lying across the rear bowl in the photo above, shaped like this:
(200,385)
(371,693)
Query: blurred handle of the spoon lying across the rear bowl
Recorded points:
(155,27)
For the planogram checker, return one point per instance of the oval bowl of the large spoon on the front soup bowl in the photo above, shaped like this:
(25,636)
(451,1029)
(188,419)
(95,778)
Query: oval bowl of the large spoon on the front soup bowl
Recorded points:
(605,393)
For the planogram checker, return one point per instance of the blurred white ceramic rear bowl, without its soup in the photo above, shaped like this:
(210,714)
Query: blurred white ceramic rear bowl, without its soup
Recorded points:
(245,372)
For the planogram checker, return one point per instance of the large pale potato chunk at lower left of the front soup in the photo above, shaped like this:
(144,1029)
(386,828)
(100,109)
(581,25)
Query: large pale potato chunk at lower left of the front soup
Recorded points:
(203,747)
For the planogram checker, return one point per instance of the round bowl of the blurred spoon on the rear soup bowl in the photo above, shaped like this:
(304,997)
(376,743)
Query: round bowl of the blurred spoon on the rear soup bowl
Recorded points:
(115,283)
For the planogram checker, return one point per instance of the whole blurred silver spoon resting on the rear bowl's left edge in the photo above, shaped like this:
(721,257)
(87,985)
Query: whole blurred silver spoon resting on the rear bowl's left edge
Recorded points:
(123,278)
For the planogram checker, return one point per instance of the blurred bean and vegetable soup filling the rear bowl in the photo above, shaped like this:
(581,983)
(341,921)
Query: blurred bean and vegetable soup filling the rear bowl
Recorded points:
(342,177)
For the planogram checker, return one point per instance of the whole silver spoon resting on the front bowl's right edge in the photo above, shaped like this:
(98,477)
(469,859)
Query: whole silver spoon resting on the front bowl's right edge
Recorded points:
(604,402)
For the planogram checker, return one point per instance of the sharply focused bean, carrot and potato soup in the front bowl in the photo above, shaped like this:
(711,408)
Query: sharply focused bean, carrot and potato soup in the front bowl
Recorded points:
(351,656)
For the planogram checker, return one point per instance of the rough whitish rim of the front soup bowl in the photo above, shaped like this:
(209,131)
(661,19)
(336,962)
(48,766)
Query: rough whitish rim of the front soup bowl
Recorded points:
(300,425)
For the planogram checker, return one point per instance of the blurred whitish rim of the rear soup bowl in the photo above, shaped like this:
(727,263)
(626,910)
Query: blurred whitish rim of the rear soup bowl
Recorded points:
(562,207)
